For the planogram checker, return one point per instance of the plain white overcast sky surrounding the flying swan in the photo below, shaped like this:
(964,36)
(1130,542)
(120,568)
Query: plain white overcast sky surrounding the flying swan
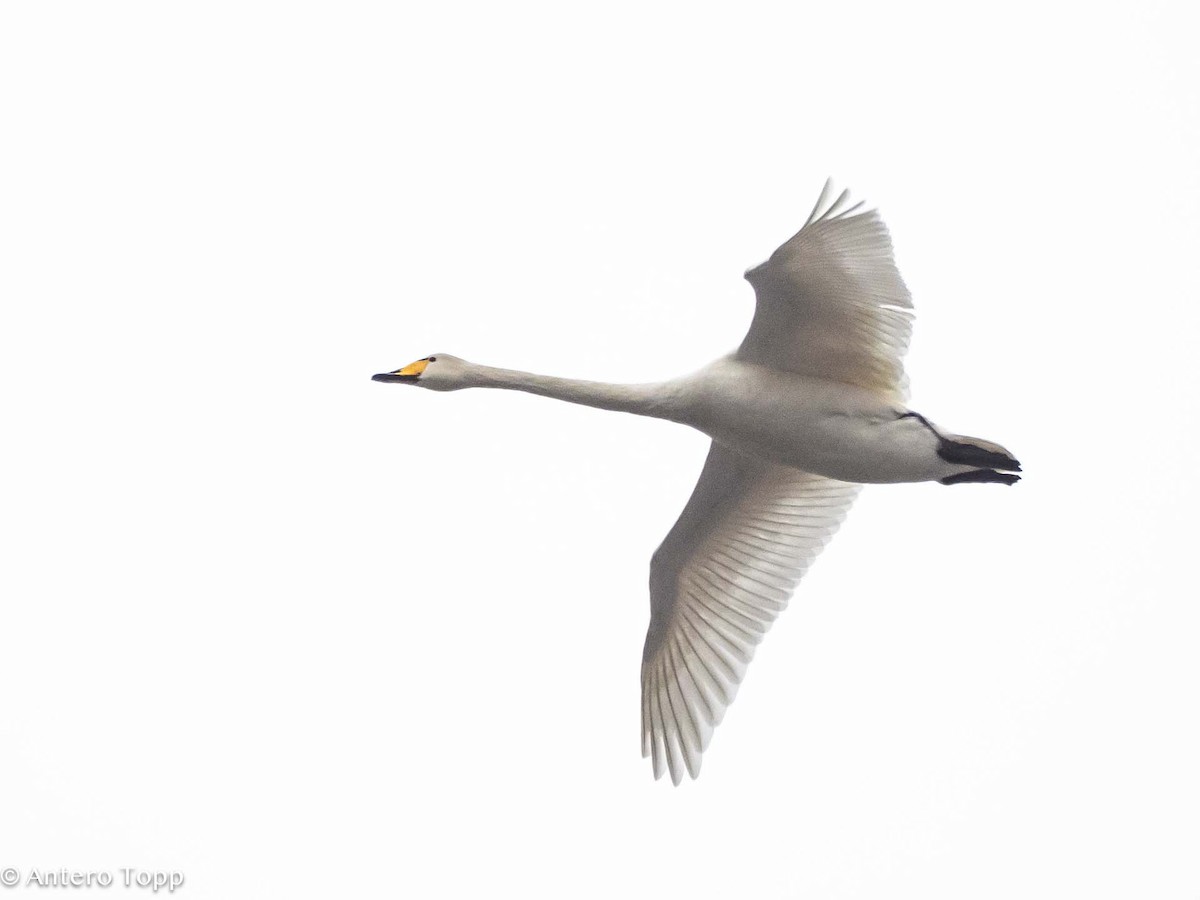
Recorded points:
(296,634)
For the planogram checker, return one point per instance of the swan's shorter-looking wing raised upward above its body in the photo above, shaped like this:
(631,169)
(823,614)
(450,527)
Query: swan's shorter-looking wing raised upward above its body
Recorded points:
(831,303)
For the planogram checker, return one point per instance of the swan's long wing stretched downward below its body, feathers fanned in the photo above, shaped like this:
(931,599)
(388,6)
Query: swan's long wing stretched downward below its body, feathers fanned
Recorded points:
(718,581)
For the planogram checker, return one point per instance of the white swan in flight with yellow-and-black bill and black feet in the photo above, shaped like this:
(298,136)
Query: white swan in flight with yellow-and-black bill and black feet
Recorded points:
(807,411)
